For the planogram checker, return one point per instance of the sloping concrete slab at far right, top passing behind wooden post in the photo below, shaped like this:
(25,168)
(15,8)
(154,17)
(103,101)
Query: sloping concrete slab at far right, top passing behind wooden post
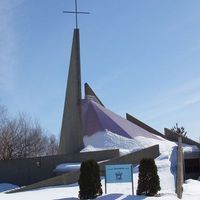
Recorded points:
(170,135)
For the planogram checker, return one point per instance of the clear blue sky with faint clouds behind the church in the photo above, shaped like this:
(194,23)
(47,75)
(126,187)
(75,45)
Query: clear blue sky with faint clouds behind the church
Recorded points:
(140,57)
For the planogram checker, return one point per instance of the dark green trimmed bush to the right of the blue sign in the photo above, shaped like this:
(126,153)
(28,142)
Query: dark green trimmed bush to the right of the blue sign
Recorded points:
(148,182)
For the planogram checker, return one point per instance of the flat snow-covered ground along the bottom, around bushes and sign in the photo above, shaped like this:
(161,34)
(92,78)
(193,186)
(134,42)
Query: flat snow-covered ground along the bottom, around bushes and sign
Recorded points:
(115,192)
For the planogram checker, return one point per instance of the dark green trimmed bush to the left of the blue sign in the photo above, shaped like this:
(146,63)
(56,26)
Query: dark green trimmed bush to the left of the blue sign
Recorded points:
(89,180)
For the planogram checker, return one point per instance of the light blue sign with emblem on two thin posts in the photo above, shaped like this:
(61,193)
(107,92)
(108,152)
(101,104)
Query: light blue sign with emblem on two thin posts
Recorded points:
(119,174)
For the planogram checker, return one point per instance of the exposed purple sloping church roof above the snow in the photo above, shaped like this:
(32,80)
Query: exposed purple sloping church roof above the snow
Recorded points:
(98,118)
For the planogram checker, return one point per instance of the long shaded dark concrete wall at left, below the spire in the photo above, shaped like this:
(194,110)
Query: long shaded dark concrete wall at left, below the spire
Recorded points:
(28,171)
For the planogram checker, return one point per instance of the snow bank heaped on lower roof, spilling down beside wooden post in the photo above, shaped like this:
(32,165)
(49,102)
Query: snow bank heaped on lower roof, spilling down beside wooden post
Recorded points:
(166,162)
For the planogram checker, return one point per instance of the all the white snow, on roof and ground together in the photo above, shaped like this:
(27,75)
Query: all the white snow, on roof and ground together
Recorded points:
(166,164)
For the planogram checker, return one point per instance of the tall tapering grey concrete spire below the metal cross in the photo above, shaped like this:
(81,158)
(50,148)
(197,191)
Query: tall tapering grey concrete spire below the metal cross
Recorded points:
(71,140)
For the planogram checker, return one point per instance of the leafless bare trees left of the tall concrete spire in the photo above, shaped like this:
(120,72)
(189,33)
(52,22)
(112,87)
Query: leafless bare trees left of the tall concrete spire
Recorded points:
(20,137)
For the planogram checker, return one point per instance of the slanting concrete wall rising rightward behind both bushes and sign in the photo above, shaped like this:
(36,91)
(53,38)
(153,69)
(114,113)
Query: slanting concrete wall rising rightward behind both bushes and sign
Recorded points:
(72,177)
